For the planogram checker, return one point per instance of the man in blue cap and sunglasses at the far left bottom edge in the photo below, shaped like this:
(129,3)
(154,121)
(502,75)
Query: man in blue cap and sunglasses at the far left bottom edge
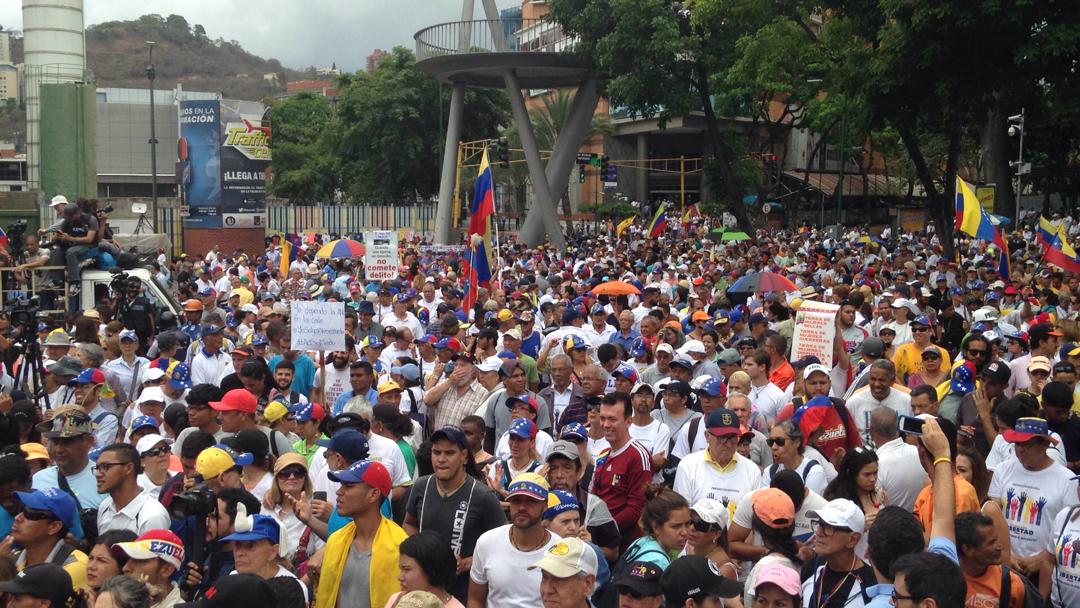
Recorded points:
(47,518)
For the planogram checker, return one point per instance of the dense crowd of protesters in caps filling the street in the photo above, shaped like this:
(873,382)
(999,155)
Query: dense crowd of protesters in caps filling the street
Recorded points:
(616,424)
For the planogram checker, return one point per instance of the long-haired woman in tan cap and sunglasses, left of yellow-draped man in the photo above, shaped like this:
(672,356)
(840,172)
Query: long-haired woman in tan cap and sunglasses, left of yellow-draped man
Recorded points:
(290,487)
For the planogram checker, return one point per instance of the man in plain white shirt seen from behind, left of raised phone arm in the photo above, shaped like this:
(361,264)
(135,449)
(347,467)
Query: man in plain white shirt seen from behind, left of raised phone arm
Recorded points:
(900,474)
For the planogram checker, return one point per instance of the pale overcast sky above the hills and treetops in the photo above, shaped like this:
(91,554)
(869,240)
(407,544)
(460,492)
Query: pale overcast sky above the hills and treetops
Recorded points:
(298,33)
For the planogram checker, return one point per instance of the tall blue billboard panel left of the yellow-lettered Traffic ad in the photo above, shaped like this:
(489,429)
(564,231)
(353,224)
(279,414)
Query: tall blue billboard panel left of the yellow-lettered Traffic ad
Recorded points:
(199,153)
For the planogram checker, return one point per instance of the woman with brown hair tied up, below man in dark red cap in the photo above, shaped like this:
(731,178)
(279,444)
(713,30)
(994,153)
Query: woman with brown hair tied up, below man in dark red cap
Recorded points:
(666,522)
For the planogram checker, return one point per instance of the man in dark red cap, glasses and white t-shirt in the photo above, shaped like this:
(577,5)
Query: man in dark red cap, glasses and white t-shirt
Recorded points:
(718,472)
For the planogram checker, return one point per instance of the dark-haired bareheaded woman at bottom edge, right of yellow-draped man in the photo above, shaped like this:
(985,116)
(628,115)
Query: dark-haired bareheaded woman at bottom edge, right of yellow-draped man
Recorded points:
(427,564)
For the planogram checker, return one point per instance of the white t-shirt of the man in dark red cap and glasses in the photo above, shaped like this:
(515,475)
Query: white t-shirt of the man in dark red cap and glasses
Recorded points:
(698,478)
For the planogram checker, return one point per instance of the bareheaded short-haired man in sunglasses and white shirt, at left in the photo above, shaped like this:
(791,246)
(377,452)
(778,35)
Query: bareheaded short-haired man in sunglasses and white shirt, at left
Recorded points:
(128,507)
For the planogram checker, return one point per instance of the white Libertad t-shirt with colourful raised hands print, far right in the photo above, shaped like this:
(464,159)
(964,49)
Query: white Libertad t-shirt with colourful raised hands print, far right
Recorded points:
(1031,501)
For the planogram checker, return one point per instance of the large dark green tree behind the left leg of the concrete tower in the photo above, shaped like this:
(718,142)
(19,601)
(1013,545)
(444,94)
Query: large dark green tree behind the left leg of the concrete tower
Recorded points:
(390,147)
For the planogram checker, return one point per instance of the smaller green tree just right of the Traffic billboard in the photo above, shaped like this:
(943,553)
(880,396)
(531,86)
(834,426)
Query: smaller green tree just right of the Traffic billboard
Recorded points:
(305,167)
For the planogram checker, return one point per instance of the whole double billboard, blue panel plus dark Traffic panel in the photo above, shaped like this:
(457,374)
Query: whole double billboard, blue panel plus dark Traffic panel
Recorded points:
(224,156)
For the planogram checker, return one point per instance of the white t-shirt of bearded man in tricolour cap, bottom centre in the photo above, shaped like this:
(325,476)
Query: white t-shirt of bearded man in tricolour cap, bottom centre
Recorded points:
(506,572)
